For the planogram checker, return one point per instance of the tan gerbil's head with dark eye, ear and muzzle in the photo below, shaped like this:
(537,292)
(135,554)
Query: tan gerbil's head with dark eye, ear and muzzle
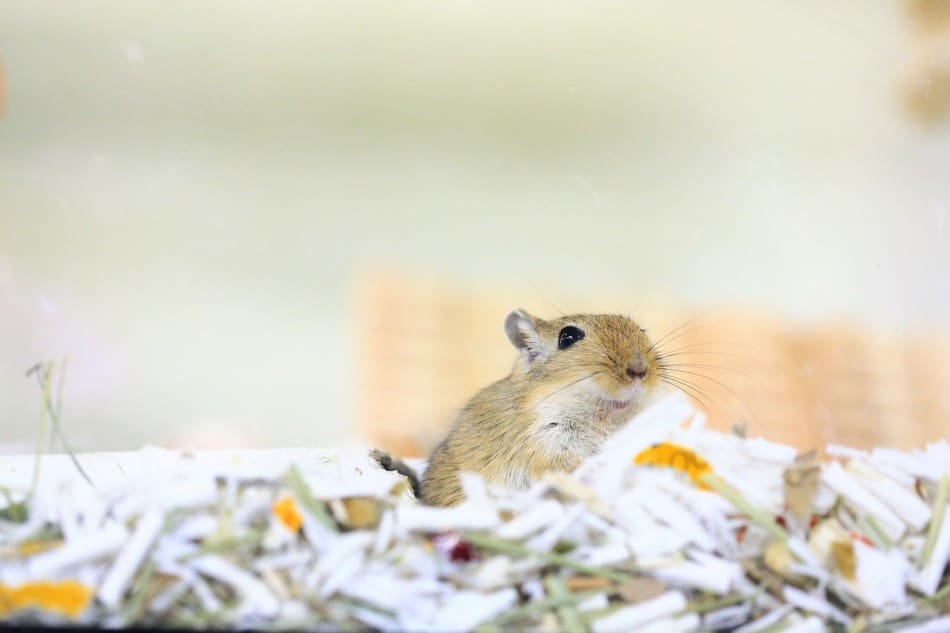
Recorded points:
(604,359)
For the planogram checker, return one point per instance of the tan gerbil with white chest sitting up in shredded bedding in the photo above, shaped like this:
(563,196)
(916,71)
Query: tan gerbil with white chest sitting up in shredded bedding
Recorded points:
(577,379)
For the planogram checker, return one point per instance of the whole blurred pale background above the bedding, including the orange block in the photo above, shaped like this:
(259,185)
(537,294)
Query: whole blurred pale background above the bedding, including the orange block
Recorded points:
(303,223)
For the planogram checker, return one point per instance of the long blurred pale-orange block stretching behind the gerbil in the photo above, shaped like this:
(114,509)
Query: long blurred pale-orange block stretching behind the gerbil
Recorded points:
(426,347)
